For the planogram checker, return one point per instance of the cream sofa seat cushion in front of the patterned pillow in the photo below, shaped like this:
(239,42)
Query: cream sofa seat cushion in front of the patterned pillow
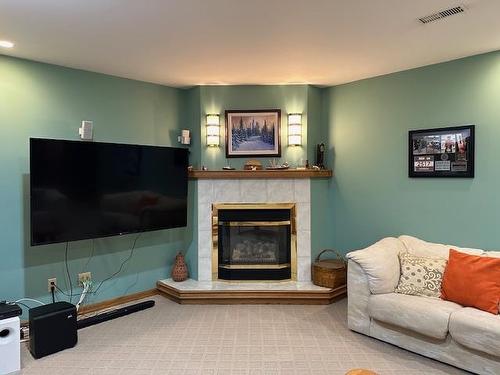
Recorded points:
(424,315)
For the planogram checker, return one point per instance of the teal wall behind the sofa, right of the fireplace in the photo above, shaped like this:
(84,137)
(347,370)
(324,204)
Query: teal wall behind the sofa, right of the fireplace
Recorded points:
(368,122)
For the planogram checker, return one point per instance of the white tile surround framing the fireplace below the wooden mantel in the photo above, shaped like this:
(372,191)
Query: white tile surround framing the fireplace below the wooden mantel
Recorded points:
(270,190)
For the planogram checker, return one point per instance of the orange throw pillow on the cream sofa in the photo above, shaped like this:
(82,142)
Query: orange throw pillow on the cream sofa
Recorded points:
(472,280)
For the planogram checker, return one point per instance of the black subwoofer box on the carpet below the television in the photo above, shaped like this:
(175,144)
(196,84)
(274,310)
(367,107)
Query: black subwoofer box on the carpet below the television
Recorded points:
(52,328)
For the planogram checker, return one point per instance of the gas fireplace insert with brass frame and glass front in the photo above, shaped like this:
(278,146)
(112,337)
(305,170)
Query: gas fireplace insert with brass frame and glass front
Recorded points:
(254,241)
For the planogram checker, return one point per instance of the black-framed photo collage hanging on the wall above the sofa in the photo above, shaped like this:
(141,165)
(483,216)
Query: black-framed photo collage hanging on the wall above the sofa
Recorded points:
(441,152)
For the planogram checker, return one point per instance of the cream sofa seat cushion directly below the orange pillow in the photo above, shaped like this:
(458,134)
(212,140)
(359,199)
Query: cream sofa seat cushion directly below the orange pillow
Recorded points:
(476,329)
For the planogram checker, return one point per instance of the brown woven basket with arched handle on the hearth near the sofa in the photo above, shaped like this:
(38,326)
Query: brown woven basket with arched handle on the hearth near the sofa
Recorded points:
(329,273)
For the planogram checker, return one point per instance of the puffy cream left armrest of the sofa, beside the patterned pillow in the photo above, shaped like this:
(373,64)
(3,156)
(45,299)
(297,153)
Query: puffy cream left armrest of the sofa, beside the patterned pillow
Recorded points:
(380,262)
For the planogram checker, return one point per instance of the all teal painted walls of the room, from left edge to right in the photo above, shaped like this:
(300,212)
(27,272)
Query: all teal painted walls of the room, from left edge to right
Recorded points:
(364,125)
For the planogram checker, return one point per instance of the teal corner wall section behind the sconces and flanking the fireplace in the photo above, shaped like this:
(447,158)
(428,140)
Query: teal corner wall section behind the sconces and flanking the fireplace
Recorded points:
(304,99)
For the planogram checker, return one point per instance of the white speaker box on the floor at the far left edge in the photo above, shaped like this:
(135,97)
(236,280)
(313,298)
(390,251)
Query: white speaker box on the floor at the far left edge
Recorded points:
(10,345)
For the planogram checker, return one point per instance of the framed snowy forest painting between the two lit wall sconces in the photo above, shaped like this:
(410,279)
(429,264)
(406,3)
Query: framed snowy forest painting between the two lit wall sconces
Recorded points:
(253,133)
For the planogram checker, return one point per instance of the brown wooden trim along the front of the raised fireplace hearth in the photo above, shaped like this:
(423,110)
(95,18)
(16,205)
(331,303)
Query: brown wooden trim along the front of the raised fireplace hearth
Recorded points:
(227,297)
